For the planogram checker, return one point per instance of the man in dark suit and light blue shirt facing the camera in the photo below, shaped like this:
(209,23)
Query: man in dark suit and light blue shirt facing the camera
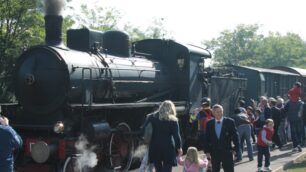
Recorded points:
(220,133)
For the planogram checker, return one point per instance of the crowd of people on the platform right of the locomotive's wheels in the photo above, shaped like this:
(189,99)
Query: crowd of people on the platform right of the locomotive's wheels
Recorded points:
(270,124)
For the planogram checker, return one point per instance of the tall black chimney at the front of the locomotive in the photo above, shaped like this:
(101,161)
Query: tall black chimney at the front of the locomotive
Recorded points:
(53,29)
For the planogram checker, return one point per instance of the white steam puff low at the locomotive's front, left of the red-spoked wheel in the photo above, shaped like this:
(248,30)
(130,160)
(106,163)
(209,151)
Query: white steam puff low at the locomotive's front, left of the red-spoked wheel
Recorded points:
(87,158)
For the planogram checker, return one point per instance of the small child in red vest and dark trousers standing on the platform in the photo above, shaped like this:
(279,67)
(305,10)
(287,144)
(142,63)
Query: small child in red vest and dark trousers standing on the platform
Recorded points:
(264,141)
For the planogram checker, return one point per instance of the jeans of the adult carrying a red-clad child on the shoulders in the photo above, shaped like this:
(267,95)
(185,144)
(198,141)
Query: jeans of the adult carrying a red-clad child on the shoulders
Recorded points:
(296,132)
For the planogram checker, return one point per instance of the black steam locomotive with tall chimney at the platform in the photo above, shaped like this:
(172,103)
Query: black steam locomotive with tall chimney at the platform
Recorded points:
(100,86)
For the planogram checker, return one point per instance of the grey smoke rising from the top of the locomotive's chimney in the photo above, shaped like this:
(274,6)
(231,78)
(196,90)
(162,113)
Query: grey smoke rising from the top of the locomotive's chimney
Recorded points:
(54,7)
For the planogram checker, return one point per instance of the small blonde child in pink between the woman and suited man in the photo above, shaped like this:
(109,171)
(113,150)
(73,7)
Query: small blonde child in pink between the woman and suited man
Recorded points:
(192,162)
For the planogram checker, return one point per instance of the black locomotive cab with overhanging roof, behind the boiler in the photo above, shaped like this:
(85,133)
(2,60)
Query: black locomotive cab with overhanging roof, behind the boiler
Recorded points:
(185,62)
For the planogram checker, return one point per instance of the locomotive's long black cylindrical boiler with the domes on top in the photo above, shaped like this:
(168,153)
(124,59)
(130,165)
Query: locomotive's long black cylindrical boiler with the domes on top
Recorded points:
(51,75)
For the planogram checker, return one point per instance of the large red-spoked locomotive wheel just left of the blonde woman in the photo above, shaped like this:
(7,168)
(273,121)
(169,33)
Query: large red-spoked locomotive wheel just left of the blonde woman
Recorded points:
(121,148)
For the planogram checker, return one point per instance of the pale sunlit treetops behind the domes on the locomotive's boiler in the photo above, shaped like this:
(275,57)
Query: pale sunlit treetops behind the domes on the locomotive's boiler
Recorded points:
(107,18)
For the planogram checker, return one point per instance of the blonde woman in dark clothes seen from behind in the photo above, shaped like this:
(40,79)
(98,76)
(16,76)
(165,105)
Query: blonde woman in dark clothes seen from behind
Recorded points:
(166,139)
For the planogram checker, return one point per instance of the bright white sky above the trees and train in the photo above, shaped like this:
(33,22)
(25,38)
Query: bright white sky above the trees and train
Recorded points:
(192,21)
